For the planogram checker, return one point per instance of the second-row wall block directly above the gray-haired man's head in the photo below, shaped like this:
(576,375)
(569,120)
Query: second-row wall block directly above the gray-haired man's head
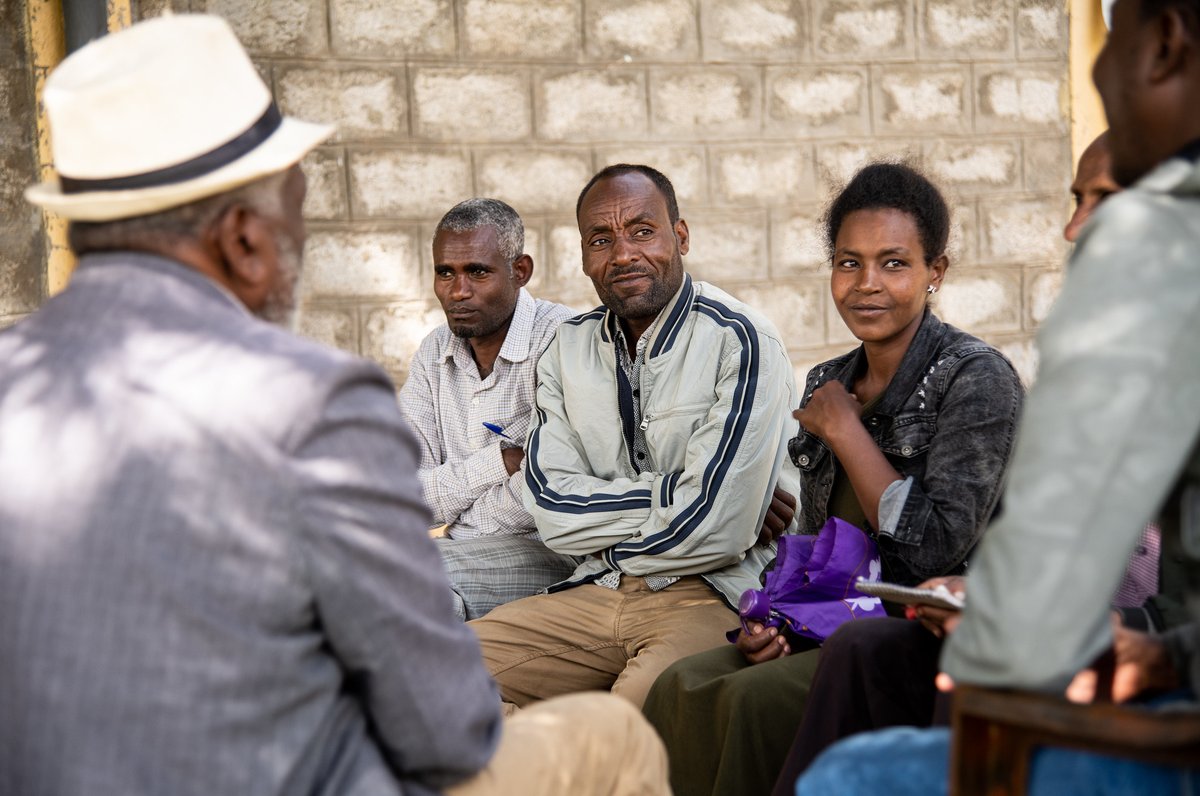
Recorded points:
(475,105)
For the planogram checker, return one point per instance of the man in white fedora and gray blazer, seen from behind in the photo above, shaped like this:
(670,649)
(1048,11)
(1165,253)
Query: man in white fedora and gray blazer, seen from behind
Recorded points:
(215,576)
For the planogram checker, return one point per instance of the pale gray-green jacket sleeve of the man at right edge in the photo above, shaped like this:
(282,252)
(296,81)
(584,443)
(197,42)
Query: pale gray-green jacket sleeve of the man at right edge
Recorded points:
(1106,433)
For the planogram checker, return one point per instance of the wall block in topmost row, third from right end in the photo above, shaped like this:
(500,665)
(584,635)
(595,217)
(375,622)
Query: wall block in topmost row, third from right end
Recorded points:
(878,31)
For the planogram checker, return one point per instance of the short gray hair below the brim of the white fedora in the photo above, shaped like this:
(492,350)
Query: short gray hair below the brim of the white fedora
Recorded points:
(184,223)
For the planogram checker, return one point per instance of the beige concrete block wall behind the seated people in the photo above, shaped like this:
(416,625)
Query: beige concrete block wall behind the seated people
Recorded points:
(755,109)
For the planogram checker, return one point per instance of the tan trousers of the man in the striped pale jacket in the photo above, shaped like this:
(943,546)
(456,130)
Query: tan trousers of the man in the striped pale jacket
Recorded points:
(591,638)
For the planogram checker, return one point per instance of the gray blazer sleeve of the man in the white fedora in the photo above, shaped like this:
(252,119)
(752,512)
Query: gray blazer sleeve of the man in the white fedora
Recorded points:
(381,591)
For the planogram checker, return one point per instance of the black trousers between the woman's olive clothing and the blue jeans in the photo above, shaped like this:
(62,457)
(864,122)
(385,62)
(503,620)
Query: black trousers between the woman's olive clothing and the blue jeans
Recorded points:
(872,674)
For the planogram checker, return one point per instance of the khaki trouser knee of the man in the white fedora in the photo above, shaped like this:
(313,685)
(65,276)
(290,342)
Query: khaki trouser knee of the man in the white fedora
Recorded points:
(583,745)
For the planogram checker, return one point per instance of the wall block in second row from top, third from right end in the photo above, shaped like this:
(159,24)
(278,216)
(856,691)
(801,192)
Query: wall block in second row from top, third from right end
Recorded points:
(818,101)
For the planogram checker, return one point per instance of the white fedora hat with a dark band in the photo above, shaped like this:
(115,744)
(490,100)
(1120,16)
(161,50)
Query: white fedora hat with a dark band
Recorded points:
(160,115)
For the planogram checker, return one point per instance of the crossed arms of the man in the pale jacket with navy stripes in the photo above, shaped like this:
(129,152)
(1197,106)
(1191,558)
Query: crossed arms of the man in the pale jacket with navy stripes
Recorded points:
(699,517)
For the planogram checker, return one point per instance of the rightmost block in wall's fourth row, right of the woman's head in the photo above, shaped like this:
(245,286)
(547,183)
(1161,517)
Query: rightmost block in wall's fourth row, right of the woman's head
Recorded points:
(1024,231)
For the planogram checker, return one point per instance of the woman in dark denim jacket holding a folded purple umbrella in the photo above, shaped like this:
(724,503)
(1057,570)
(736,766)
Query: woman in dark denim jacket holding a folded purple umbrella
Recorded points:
(907,436)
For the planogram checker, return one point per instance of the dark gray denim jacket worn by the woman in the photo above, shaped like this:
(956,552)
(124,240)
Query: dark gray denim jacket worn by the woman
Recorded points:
(946,423)
